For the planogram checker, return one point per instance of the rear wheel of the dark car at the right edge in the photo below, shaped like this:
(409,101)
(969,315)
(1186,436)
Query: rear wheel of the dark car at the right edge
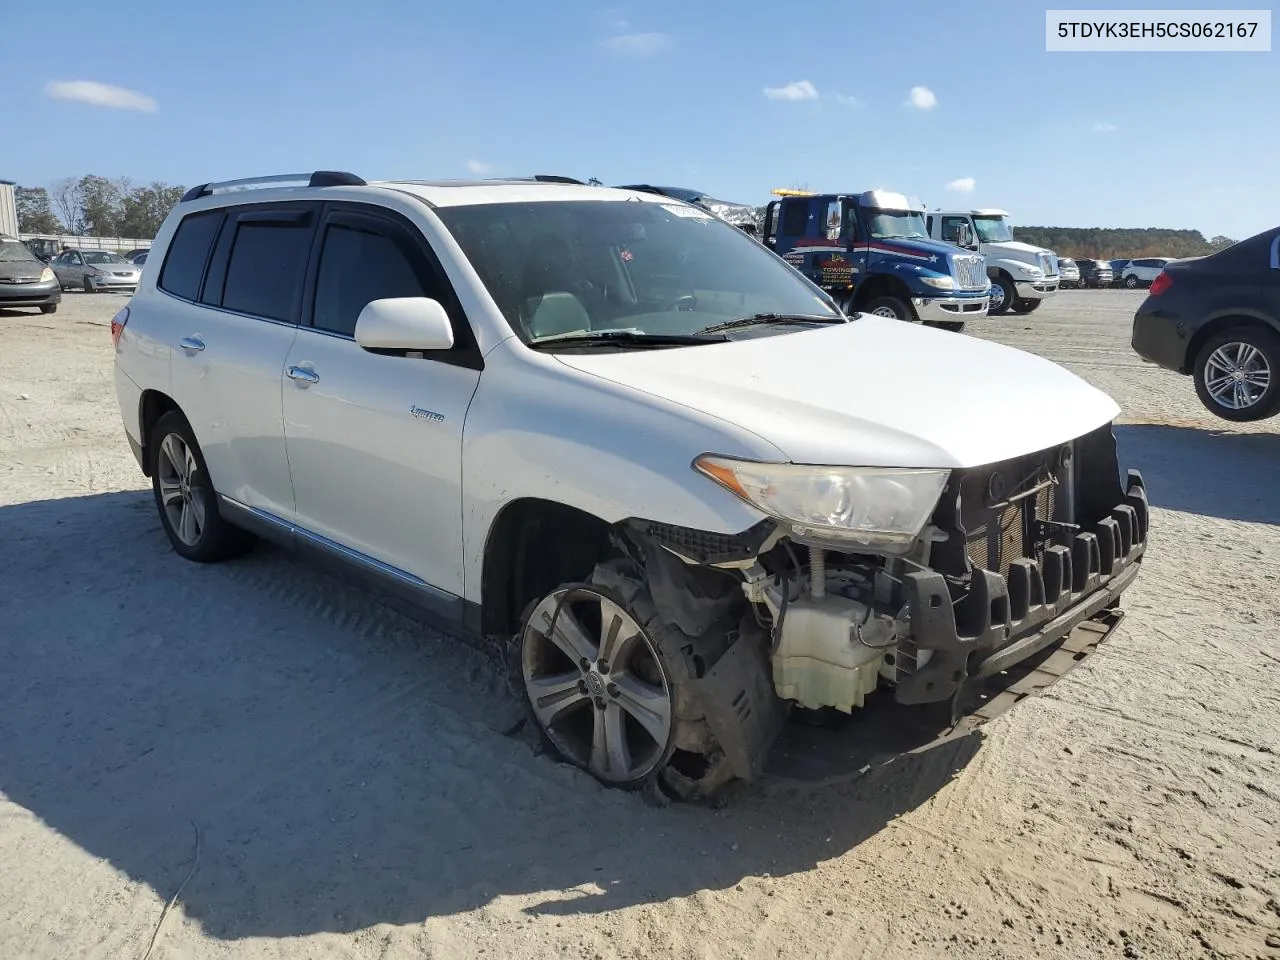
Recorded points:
(1238,374)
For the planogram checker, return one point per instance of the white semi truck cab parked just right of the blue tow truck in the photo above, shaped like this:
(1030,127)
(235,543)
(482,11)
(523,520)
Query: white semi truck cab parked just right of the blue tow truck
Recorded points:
(1022,276)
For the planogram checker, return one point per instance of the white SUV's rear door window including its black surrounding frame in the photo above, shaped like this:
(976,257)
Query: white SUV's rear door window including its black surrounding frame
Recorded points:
(262,262)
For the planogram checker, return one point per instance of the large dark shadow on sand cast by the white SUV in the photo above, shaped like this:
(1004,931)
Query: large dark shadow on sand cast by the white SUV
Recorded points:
(345,764)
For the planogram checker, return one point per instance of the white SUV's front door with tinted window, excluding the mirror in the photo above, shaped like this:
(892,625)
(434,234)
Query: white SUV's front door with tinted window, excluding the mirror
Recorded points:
(376,440)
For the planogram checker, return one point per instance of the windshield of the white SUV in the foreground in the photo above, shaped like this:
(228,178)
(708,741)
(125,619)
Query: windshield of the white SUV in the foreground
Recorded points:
(652,269)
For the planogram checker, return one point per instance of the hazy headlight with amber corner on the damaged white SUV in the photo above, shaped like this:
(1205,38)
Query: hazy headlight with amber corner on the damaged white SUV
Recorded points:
(876,508)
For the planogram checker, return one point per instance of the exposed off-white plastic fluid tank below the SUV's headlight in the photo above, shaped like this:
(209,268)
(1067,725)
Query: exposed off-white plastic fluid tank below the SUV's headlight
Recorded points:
(820,661)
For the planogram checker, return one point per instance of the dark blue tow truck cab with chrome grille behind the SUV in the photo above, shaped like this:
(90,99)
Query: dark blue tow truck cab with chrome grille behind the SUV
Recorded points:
(872,253)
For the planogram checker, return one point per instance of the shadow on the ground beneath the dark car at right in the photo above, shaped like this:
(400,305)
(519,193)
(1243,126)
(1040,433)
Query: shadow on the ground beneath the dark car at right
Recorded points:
(1206,472)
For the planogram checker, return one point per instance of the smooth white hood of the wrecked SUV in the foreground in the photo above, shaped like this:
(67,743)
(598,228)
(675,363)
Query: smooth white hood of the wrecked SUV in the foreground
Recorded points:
(874,392)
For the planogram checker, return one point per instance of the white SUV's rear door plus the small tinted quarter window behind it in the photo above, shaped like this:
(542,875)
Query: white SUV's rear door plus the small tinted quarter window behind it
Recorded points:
(231,341)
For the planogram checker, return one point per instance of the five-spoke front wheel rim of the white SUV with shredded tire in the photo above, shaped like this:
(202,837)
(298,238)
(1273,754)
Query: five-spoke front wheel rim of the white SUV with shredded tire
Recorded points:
(596,685)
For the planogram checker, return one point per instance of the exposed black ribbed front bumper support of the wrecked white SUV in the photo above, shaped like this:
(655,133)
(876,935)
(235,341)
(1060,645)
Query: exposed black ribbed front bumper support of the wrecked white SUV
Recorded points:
(1034,609)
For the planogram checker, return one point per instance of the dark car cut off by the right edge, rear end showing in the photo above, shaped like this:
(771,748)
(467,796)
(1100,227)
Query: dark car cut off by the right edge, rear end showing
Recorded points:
(1218,318)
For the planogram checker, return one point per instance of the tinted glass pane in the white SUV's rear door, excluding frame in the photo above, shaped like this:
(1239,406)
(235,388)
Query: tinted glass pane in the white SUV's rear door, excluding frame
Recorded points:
(267,264)
